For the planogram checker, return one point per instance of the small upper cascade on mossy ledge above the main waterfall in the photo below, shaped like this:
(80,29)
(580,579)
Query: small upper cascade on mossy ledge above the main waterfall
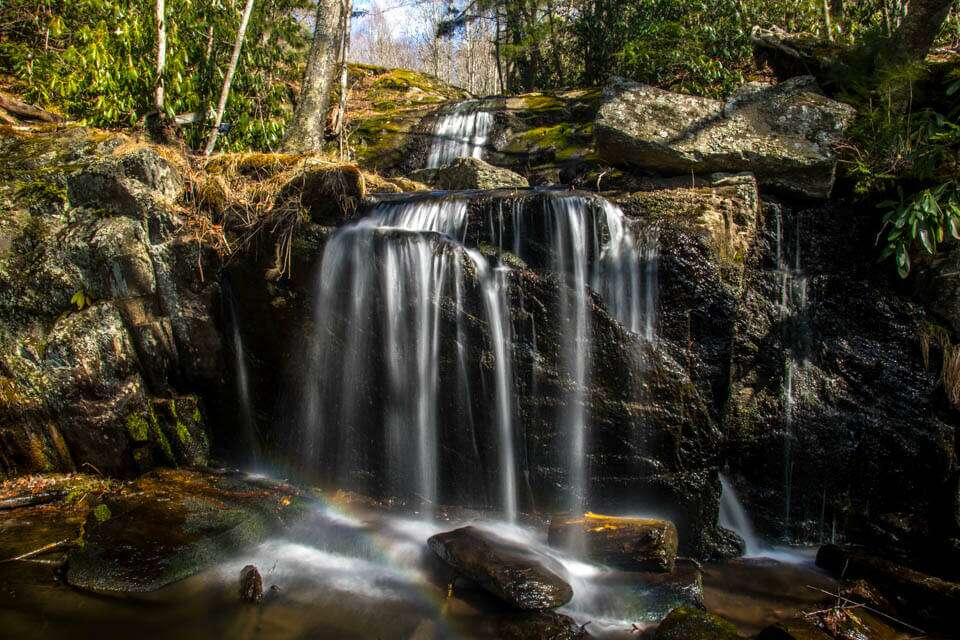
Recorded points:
(461,132)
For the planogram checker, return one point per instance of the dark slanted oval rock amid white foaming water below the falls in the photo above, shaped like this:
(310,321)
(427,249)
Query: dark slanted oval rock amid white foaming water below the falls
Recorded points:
(517,576)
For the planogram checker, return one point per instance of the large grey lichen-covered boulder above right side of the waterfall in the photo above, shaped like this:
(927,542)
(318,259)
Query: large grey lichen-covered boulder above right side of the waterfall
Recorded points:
(780,133)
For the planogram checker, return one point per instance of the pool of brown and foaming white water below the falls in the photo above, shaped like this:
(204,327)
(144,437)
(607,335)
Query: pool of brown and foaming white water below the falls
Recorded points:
(368,575)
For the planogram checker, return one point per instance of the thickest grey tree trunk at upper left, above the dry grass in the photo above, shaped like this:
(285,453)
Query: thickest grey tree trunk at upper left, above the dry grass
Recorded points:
(306,131)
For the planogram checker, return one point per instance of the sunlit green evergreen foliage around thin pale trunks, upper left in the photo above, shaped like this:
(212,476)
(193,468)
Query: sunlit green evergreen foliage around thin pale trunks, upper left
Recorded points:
(95,59)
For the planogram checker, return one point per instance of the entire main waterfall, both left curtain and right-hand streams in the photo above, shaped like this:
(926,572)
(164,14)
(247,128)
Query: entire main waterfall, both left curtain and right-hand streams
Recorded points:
(413,352)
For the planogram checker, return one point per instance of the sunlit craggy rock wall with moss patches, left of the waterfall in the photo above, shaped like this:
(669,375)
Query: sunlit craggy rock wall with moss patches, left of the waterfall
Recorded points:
(107,333)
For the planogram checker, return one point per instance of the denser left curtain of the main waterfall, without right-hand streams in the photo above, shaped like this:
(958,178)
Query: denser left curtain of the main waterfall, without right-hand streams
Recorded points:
(383,282)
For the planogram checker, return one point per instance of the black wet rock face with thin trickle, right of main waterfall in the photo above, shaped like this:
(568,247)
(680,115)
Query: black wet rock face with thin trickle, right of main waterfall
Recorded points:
(834,424)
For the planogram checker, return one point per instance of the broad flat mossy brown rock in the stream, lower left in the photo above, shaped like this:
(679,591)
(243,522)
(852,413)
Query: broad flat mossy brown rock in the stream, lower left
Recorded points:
(172,524)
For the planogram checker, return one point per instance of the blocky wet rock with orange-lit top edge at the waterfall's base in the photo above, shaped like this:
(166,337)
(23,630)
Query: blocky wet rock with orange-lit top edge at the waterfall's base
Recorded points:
(628,543)
